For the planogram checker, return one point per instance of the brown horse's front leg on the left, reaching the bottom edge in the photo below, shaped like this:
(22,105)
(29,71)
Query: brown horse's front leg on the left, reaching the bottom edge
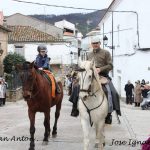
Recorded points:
(32,129)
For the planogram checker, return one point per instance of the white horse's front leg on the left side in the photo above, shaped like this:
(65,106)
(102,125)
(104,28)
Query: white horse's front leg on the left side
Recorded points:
(86,132)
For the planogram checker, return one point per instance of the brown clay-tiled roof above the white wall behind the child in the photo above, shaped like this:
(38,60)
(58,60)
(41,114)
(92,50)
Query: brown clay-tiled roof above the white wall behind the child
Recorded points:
(29,34)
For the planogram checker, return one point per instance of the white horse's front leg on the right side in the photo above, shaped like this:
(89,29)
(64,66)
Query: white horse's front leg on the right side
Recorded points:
(100,135)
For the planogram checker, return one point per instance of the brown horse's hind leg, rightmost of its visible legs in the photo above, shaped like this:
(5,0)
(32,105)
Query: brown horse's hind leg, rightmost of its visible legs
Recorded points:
(57,113)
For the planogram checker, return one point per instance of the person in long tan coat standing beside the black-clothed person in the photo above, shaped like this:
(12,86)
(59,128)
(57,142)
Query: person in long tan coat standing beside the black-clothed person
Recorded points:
(138,92)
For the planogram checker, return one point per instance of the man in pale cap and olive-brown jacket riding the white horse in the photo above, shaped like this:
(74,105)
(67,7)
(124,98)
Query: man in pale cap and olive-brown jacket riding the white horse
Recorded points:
(103,63)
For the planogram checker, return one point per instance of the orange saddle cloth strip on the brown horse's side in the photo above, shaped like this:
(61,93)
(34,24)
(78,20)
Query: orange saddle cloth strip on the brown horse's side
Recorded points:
(51,78)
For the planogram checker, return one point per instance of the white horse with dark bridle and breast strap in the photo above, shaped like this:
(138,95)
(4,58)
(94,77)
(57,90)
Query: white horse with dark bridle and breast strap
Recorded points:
(93,105)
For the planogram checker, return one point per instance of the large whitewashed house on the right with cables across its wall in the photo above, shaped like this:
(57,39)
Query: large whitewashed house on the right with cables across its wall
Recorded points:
(126,27)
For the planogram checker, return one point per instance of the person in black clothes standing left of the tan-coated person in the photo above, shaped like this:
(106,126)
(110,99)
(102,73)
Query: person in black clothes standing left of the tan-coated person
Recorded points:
(129,88)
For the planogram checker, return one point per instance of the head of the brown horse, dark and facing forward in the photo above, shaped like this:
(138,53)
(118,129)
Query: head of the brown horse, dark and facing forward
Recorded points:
(28,77)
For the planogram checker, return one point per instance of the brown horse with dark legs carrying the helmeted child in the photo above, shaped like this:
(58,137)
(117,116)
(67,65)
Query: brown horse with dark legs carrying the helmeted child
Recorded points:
(38,94)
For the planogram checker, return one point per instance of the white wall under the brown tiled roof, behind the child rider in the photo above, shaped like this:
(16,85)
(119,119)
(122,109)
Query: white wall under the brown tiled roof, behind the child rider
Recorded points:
(59,54)
